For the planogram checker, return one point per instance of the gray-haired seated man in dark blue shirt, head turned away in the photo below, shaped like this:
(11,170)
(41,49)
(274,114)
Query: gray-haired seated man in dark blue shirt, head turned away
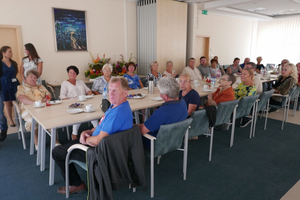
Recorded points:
(172,111)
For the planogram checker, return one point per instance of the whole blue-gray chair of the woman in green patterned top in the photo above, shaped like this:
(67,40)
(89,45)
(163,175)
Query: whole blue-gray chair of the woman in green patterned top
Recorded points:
(244,109)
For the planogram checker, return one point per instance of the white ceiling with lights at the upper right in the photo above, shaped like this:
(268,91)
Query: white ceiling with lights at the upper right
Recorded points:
(259,9)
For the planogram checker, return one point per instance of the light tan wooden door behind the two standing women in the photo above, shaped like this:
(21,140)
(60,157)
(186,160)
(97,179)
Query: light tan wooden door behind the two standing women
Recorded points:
(11,36)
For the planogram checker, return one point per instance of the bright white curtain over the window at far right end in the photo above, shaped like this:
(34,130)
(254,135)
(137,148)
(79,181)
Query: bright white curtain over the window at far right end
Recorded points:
(279,39)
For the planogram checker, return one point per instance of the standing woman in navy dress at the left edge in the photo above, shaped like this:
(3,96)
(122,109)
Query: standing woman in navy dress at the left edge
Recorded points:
(9,82)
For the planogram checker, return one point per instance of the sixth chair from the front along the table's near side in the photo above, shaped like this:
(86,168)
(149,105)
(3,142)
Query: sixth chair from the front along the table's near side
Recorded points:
(263,105)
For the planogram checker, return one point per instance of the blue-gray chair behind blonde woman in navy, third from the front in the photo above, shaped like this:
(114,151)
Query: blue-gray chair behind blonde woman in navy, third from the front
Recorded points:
(200,126)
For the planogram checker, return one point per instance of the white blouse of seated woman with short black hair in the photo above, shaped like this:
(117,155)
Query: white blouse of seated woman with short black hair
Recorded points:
(70,91)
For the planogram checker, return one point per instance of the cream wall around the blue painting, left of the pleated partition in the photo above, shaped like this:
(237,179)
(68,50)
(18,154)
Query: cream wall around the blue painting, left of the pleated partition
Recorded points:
(105,30)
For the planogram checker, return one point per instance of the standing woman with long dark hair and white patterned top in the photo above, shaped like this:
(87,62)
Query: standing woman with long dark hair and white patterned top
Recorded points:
(31,61)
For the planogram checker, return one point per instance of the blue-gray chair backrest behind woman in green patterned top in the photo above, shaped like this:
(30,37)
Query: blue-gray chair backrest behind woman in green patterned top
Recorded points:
(245,105)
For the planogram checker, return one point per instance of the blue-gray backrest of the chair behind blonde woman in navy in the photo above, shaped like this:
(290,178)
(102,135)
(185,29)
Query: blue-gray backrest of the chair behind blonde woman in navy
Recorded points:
(199,124)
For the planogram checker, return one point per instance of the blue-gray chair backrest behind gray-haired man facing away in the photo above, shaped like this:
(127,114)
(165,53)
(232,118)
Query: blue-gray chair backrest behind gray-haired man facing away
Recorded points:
(170,137)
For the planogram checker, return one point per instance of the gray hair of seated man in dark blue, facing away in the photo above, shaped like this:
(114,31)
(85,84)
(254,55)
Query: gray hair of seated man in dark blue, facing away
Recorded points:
(169,86)
